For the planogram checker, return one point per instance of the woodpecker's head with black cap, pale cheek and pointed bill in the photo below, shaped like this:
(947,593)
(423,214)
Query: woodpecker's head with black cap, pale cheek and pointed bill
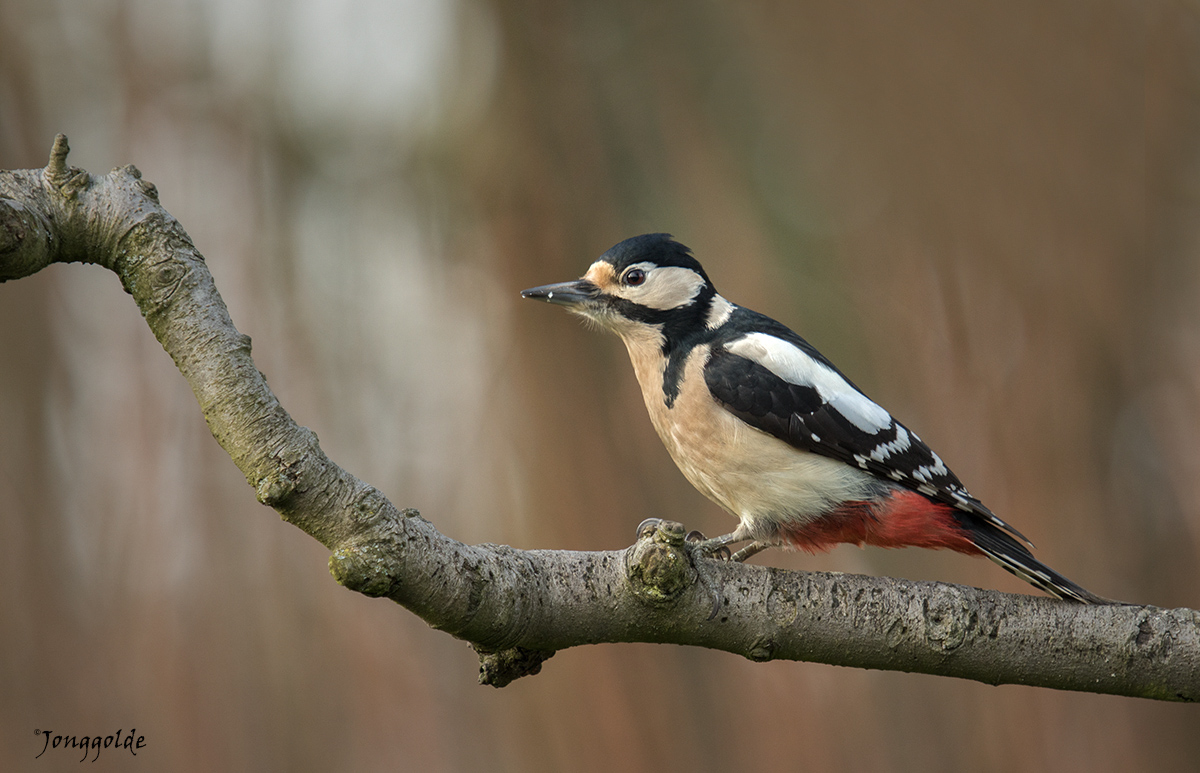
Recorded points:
(650,281)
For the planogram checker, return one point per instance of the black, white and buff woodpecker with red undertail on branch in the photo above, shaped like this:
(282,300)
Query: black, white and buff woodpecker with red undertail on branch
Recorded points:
(766,427)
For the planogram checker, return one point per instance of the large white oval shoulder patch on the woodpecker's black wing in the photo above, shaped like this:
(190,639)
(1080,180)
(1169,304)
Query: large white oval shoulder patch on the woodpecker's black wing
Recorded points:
(796,368)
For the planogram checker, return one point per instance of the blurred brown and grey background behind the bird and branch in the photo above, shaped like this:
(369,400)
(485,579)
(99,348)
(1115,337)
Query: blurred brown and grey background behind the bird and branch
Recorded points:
(987,214)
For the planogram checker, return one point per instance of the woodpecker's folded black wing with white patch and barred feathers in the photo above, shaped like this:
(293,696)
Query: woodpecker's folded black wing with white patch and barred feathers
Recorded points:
(777,382)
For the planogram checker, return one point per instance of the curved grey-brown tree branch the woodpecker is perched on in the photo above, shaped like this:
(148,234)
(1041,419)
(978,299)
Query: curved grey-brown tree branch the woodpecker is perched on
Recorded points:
(518,608)
